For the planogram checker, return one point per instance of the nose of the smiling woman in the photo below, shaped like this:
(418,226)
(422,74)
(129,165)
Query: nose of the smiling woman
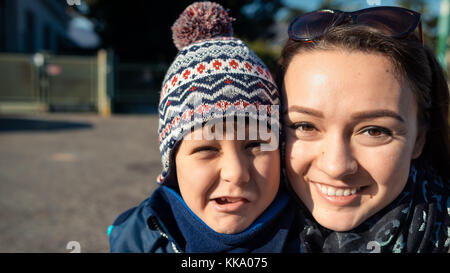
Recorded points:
(336,158)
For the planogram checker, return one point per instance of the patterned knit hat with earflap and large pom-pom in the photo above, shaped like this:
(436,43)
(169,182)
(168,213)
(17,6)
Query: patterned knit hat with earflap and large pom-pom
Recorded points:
(213,76)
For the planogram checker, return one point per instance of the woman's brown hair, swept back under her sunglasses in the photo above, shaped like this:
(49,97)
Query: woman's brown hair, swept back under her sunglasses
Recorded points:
(414,63)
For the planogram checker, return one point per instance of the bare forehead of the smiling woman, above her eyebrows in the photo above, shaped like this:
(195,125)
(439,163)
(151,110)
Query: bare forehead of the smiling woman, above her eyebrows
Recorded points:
(345,81)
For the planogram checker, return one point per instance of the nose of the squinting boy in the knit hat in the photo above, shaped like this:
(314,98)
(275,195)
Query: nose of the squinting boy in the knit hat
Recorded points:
(235,168)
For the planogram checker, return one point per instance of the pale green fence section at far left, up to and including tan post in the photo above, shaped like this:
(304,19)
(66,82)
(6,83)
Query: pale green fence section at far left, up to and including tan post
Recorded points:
(44,82)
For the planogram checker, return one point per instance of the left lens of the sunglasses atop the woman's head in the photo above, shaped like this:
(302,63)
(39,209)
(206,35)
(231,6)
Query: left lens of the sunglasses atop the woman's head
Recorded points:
(313,25)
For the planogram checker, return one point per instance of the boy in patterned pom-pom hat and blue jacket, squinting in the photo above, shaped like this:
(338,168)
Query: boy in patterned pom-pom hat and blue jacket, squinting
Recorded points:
(220,185)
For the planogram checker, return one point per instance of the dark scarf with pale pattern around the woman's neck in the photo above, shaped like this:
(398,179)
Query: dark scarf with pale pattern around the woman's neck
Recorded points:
(416,221)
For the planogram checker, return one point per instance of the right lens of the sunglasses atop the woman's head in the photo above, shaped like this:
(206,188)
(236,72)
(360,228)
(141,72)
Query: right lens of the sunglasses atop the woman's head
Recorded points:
(390,22)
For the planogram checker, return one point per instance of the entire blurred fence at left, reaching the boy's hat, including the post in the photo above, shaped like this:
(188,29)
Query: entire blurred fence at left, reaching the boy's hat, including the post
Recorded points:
(44,82)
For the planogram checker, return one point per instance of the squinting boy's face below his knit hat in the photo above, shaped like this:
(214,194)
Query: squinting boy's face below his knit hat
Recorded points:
(227,183)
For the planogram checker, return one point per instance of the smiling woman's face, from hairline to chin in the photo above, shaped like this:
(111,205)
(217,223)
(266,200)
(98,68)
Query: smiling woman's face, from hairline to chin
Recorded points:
(351,132)
